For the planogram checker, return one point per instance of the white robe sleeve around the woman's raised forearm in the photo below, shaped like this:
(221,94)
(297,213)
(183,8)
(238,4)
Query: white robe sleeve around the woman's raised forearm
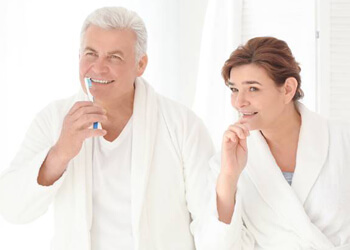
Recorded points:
(209,232)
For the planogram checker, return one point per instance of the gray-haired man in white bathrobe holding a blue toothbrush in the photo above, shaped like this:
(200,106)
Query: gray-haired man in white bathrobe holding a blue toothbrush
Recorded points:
(136,182)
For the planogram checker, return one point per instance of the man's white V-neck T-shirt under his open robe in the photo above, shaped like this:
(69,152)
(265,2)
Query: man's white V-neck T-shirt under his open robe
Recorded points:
(111,223)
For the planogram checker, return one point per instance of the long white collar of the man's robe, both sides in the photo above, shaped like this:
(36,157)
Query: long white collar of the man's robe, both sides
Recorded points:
(145,120)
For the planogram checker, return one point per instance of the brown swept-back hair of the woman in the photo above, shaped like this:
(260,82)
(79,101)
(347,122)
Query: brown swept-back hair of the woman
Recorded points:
(269,53)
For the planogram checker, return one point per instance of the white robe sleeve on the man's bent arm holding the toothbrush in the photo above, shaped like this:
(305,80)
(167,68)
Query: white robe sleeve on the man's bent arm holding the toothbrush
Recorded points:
(22,199)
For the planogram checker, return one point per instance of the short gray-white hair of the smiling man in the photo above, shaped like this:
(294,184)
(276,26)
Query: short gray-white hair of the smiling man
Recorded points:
(119,18)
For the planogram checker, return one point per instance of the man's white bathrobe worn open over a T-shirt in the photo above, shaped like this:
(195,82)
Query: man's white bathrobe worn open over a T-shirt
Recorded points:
(170,153)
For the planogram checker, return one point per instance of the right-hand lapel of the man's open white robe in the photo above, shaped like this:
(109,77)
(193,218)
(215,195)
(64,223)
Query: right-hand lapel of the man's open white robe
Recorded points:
(143,140)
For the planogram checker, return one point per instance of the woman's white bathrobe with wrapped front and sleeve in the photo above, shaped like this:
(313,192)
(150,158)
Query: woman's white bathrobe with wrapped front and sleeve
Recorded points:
(312,213)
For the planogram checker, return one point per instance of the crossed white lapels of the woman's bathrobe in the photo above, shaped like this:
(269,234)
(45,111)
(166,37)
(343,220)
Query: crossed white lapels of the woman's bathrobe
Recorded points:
(275,190)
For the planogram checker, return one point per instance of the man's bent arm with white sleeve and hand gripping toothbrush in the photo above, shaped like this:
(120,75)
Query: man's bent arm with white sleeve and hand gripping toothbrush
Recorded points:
(28,187)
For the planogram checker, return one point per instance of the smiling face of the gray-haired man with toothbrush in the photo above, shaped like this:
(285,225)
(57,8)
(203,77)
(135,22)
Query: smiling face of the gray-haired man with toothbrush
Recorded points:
(108,58)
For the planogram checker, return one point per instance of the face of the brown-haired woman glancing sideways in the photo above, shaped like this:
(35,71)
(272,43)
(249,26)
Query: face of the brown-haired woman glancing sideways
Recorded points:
(256,97)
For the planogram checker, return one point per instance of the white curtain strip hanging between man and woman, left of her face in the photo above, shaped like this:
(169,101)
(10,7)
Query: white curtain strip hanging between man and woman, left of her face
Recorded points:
(221,35)
